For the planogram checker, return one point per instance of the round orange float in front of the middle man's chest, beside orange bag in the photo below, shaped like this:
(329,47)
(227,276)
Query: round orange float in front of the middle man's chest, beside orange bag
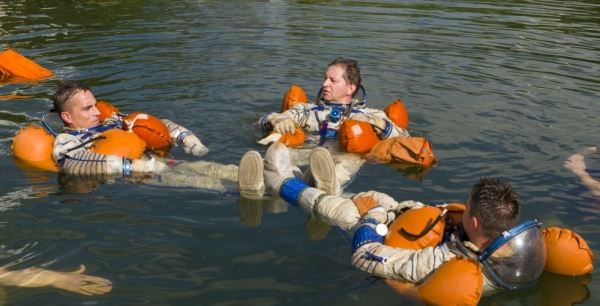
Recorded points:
(357,136)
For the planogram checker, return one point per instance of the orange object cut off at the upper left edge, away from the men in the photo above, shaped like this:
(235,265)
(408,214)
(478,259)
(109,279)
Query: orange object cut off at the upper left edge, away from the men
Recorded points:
(15,65)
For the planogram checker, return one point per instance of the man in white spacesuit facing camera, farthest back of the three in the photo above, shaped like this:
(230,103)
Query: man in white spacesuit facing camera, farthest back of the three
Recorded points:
(321,120)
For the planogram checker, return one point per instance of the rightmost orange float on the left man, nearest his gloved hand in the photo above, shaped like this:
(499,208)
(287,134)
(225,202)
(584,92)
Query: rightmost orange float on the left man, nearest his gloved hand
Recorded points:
(149,128)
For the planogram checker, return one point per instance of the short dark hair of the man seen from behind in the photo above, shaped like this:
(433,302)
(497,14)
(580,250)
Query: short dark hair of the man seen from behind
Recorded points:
(496,205)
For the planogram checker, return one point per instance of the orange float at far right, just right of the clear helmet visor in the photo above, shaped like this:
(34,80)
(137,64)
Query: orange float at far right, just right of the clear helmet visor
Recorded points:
(567,252)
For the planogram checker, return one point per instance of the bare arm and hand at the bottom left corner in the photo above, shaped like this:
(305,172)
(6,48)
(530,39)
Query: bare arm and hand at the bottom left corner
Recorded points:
(74,281)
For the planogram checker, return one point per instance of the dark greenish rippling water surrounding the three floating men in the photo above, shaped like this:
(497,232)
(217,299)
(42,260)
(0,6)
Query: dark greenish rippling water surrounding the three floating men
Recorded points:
(505,89)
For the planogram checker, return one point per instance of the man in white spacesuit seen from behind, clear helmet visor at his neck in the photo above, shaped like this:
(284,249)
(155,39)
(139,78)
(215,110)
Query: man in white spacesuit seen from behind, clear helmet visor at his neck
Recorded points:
(488,220)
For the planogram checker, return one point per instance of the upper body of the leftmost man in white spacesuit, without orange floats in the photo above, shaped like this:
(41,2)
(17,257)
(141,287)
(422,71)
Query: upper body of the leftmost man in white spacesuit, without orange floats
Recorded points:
(76,106)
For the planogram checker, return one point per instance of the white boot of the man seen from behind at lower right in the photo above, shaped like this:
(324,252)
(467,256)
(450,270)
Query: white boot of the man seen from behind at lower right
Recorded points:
(277,167)
